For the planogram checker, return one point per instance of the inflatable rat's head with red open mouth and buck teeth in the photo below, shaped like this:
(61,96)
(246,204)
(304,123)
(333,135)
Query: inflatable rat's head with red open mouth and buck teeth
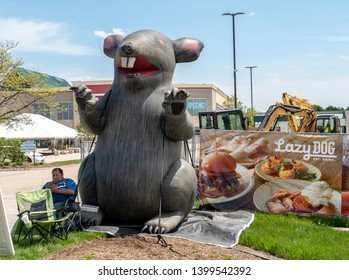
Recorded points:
(147,58)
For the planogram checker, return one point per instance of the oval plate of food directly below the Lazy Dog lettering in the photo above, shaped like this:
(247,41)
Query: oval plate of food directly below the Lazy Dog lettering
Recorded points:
(277,167)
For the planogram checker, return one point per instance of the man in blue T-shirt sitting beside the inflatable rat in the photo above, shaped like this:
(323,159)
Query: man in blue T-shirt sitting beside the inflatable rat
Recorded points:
(62,188)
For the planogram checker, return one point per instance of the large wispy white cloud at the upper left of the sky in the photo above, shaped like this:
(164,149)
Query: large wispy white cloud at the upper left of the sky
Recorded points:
(41,36)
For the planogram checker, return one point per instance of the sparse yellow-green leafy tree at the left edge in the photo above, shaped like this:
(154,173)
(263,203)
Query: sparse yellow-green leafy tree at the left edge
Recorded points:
(19,88)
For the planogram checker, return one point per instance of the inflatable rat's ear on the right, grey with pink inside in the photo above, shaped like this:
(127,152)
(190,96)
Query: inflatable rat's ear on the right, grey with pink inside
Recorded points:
(187,49)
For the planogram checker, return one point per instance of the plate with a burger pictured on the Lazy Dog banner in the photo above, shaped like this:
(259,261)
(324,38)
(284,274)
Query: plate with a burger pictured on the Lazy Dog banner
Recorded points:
(222,179)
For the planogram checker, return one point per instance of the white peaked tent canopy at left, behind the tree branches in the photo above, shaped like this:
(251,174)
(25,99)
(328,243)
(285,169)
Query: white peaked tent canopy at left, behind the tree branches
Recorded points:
(37,127)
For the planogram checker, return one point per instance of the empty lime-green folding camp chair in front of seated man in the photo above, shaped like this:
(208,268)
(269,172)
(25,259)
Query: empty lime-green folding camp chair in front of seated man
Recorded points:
(37,217)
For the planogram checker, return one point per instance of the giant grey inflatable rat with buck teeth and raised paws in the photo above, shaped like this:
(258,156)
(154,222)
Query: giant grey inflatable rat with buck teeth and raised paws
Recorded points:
(136,170)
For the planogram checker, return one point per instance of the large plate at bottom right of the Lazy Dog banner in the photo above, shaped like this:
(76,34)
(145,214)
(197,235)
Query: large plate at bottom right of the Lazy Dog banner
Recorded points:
(299,197)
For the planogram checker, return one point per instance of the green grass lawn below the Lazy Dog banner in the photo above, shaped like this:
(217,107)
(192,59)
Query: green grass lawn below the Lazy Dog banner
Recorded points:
(294,237)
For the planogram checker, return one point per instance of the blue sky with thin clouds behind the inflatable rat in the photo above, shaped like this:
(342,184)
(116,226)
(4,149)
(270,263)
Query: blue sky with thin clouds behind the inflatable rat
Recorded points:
(299,47)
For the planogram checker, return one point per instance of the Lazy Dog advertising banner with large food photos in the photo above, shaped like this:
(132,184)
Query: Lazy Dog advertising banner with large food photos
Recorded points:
(275,172)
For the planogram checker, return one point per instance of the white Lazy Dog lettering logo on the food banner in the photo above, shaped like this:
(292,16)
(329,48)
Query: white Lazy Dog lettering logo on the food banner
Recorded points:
(318,150)
